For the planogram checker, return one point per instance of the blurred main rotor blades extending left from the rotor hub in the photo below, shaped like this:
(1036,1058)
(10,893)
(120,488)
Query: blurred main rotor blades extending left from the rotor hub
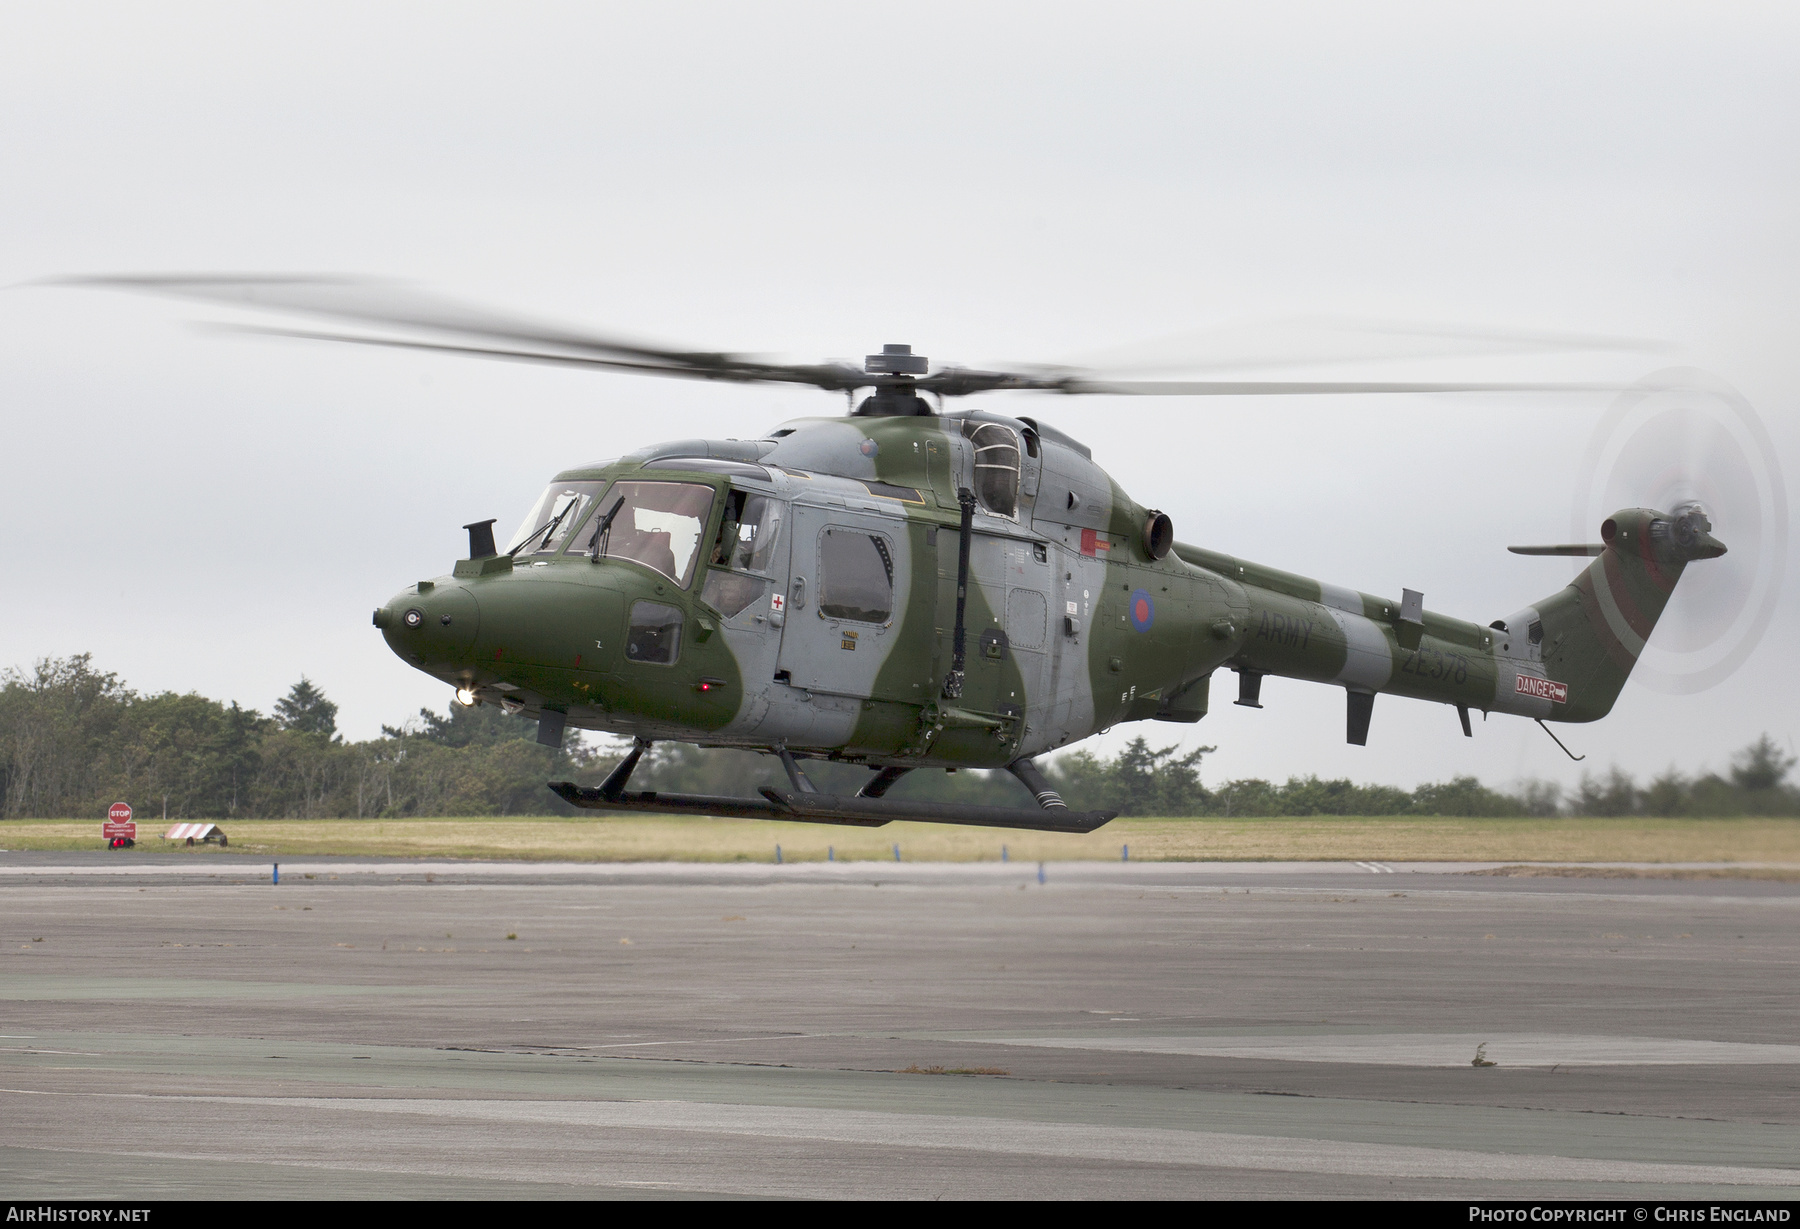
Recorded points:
(372,301)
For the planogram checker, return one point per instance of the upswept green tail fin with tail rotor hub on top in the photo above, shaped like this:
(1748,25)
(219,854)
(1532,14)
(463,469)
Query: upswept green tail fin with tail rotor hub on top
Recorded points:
(1592,632)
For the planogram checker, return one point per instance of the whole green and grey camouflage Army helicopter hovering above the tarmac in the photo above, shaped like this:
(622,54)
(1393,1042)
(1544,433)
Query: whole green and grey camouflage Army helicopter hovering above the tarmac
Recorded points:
(924,588)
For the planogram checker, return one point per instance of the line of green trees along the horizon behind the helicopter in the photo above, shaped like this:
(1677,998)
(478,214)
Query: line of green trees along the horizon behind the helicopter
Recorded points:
(75,739)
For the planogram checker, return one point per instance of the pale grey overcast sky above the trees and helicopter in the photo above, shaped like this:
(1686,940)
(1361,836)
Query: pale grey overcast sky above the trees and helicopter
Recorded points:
(985,183)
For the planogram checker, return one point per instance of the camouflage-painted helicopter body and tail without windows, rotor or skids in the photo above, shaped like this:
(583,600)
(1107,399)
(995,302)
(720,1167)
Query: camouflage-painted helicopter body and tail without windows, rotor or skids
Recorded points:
(1072,625)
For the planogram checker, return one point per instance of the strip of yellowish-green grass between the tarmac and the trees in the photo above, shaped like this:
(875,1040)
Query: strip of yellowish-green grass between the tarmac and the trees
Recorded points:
(669,839)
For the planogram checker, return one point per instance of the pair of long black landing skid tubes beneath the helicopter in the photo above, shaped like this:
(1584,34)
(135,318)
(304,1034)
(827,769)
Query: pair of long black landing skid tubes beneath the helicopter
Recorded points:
(832,809)
